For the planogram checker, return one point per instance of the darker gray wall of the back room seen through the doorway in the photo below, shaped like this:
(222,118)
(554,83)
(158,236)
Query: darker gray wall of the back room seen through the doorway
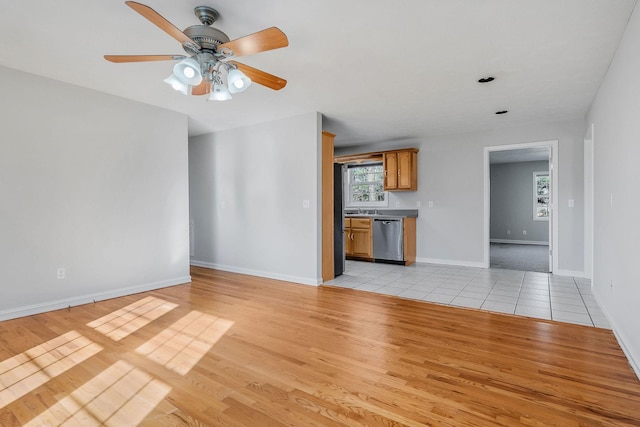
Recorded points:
(512,202)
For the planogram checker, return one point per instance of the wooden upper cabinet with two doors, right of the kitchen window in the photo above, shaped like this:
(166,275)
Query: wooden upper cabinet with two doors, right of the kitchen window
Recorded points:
(401,170)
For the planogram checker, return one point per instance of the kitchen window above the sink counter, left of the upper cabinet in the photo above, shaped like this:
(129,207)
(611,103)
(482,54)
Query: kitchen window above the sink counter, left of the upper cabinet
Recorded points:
(364,185)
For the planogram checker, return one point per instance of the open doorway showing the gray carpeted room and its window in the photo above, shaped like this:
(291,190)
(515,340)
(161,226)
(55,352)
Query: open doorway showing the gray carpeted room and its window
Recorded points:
(520,219)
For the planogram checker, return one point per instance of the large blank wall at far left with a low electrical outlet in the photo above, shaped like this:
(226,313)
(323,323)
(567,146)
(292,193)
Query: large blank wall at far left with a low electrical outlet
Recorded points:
(92,183)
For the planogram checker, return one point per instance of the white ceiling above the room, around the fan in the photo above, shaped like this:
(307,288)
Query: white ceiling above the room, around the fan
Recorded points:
(377,70)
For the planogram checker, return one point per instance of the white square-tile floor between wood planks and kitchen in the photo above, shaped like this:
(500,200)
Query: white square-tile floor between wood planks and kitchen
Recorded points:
(540,295)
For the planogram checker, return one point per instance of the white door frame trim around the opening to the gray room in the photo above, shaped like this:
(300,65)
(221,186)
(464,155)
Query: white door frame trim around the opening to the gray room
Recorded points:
(553,173)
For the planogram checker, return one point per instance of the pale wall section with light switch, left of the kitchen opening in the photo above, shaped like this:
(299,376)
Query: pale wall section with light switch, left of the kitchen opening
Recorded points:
(247,188)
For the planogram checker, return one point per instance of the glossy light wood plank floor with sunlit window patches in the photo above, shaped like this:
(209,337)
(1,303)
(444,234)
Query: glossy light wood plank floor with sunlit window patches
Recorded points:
(235,350)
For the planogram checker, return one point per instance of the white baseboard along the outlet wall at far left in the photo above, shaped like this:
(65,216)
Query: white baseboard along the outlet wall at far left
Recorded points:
(30,310)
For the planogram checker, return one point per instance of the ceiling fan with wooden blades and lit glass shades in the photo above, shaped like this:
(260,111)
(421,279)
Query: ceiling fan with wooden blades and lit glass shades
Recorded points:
(210,53)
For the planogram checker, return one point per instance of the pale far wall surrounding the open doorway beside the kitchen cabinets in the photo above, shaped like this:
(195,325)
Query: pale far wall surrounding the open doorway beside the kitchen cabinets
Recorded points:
(451,174)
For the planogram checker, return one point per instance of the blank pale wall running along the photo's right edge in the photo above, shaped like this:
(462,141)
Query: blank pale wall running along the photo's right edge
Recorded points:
(615,115)
